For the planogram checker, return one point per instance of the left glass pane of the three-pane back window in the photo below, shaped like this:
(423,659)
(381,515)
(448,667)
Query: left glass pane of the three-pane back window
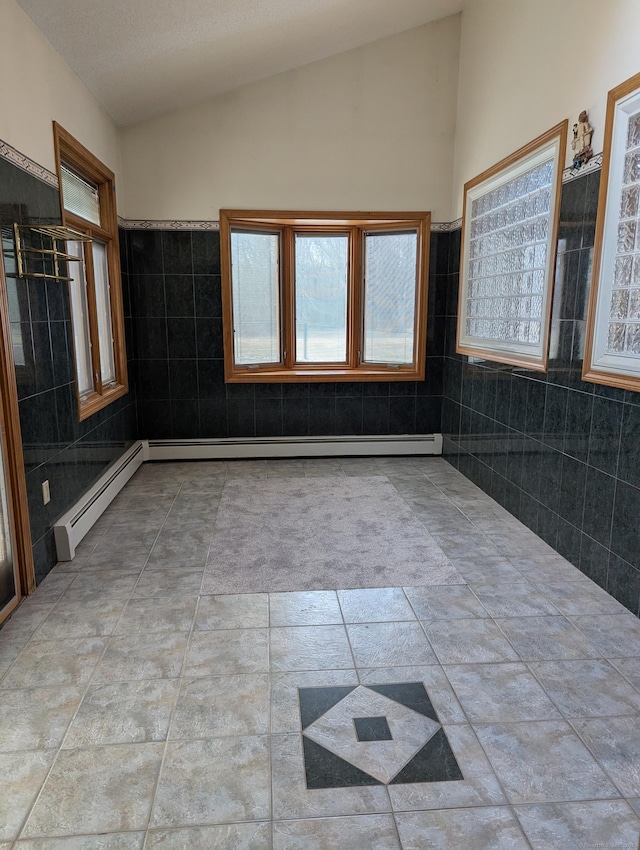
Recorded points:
(255,281)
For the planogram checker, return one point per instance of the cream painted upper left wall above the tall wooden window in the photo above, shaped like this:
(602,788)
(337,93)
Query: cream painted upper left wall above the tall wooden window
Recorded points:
(37,87)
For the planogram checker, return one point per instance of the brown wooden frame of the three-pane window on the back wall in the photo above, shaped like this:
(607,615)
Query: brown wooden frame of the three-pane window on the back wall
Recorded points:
(356,224)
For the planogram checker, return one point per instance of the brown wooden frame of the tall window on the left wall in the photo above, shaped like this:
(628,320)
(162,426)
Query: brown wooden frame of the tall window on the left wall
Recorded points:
(72,154)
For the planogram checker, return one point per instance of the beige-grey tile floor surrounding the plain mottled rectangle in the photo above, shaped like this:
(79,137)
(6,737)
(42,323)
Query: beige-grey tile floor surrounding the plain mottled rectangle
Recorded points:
(138,714)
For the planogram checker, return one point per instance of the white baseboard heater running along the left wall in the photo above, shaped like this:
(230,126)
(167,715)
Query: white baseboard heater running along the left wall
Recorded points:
(72,526)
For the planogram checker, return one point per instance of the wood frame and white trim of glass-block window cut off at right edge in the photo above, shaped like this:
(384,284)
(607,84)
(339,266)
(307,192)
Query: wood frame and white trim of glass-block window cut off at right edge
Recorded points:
(602,366)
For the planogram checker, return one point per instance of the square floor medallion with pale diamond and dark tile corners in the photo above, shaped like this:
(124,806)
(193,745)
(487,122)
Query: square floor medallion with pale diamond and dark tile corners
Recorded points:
(375,735)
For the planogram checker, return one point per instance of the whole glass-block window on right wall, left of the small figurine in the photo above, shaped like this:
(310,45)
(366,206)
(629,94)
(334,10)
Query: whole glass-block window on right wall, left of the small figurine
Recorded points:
(508,255)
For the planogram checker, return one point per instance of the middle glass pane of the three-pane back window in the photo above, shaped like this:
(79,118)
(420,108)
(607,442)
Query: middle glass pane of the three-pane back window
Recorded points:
(321,274)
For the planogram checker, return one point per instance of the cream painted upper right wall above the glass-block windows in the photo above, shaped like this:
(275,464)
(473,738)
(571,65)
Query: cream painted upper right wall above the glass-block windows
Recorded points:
(525,66)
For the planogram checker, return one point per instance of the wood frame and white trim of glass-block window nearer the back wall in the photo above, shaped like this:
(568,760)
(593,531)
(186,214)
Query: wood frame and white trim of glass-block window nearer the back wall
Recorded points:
(502,173)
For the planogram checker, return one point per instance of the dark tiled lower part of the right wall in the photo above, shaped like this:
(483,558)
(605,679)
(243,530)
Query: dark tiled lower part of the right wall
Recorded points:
(560,454)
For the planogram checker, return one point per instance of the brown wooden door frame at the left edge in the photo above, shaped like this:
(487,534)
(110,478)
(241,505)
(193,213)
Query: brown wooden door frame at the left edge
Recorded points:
(14,459)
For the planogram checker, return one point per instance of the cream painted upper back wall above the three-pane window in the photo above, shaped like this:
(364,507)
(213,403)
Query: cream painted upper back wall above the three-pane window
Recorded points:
(369,129)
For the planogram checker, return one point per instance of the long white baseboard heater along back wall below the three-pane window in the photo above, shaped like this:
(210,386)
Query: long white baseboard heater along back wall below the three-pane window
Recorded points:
(283,447)
